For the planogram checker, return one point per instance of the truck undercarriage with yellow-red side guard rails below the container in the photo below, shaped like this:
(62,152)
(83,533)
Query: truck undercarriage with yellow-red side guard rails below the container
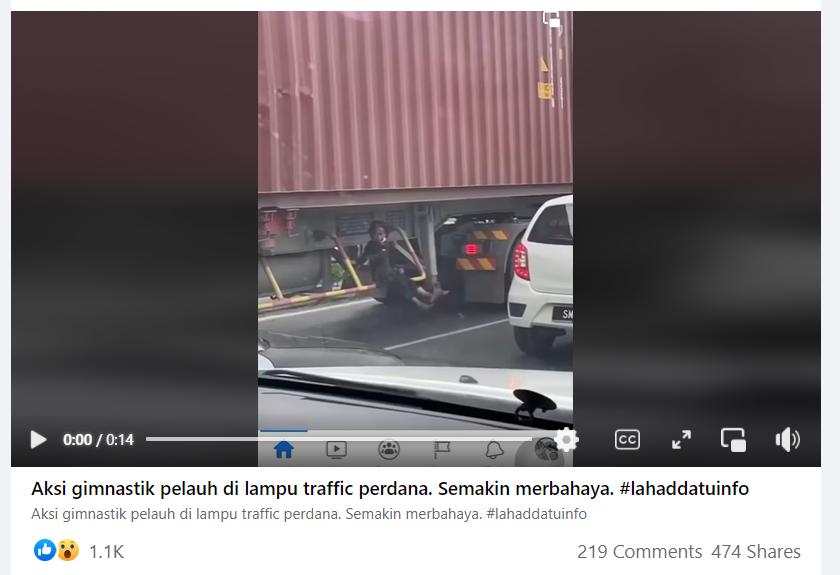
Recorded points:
(306,254)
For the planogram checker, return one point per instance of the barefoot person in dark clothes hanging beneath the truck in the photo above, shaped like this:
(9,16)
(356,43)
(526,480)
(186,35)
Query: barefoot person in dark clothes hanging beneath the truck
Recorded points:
(379,252)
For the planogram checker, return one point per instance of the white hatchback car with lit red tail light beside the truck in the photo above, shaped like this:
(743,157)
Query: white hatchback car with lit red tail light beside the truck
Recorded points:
(540,296)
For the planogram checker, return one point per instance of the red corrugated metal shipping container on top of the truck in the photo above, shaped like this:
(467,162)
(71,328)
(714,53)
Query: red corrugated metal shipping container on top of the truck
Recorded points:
(387,100)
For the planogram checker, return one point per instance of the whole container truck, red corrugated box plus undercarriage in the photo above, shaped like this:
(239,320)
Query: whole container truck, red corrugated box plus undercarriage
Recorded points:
(451,127)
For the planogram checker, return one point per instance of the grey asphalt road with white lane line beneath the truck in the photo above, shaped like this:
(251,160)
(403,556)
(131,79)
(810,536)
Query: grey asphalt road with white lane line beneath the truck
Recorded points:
(465,336)
